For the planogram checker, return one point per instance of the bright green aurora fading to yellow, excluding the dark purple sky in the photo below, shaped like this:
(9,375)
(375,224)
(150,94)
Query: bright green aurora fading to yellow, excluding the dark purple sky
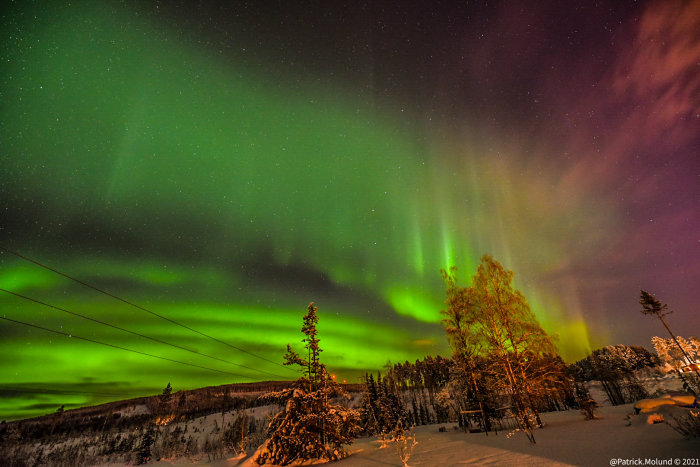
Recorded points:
(218,195)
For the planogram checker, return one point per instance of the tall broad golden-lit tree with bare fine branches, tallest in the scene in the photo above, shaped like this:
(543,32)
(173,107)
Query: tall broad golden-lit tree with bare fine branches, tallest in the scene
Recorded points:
(493,320)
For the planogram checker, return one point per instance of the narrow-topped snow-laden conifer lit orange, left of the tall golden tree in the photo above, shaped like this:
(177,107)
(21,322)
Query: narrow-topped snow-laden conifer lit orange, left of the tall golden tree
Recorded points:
(310,426)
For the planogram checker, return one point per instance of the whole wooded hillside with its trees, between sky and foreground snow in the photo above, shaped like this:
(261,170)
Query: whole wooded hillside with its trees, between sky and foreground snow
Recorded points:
(503,373)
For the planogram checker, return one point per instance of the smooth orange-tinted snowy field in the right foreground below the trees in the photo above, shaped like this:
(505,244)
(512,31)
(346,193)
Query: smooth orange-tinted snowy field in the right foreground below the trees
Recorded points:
(567,439)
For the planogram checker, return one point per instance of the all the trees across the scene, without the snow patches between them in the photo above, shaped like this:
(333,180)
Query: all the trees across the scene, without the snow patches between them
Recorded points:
(503,371)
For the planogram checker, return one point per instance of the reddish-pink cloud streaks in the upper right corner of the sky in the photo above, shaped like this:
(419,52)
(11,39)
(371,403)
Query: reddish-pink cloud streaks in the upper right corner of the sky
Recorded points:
(657,74)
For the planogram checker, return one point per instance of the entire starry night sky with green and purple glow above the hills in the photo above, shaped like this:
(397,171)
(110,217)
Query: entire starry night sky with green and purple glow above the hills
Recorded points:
(224,164)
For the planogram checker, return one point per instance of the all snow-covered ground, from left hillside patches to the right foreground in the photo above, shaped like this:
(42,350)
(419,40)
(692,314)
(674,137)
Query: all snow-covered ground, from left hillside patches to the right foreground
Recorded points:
(567,439)
